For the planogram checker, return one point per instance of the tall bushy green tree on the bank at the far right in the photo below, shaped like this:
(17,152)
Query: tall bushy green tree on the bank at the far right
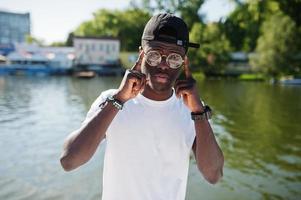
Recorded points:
(276,47)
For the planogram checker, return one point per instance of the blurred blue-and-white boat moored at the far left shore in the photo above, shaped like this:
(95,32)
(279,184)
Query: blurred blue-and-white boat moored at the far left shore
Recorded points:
(35,60)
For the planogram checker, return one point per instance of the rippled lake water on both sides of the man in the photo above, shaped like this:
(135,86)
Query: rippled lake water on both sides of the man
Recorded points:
(257,125)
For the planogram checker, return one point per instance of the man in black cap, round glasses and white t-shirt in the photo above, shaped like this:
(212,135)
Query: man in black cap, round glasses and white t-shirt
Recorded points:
(150,123)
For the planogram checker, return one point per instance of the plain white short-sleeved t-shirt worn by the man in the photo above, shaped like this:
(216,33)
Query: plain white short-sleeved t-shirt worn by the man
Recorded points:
(147,149)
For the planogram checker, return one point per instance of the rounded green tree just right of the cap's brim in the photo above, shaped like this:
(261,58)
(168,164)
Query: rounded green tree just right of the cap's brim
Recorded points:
(213,54)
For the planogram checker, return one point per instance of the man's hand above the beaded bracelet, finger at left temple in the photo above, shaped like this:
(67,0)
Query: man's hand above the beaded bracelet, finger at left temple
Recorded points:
(133,82)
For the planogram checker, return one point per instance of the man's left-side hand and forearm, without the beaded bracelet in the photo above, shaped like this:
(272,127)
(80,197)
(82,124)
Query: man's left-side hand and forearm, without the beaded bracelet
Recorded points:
(80,145)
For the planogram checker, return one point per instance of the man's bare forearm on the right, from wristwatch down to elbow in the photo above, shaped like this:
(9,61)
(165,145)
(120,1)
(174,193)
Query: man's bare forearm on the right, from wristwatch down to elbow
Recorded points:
(208,155)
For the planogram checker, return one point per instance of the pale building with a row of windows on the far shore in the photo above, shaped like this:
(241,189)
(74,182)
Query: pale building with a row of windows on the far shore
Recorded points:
(96,50)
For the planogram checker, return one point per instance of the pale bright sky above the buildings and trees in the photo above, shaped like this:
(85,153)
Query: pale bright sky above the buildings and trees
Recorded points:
(52,20)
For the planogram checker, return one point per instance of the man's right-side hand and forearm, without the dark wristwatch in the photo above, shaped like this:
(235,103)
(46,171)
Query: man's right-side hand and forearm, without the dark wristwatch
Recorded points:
(208,155)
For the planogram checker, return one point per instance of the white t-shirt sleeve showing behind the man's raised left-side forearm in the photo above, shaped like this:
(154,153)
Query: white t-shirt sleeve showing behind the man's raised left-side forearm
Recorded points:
(95,107)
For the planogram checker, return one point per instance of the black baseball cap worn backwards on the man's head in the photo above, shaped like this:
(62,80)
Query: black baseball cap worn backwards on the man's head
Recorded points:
(166,27)
